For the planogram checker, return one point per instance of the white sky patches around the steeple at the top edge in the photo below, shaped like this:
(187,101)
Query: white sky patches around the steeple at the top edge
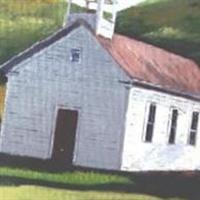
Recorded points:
(122,4)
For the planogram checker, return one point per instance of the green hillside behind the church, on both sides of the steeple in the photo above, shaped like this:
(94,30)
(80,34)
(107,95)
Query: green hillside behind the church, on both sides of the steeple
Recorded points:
(170,24)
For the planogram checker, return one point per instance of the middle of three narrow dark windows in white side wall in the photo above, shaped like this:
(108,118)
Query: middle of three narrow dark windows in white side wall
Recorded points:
(172,134)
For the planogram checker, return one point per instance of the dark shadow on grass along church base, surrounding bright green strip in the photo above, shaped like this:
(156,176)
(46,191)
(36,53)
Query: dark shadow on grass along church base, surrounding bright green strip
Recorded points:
(161,184)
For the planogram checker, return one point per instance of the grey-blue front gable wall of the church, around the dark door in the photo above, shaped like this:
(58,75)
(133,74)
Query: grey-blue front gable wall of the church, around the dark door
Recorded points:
(48,80)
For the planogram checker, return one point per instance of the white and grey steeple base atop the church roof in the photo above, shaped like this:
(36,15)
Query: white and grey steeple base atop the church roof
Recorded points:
(100,14)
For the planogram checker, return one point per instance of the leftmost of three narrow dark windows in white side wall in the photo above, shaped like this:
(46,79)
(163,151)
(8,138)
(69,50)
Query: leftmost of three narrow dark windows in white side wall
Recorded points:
(150,123)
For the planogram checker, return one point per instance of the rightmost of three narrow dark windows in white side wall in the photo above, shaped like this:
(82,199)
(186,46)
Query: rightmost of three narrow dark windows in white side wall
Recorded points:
(193,128)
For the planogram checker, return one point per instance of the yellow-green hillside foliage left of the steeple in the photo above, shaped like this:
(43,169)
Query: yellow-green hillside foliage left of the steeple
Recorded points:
(24,22)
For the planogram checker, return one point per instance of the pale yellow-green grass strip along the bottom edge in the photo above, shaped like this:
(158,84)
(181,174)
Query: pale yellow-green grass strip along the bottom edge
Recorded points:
(34,192)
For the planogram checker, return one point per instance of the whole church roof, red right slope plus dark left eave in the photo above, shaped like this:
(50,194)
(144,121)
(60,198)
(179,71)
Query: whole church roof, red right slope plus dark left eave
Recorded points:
(142,62)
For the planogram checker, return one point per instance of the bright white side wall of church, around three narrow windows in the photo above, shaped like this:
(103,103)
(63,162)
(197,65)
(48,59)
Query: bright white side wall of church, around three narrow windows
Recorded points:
(159,155)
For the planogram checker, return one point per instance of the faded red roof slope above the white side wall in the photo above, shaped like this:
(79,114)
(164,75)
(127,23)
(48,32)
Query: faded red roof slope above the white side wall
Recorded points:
(154,65)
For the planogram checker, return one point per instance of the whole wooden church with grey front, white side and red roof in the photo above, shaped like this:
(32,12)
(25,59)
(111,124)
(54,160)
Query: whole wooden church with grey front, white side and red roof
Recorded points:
(89,97)
